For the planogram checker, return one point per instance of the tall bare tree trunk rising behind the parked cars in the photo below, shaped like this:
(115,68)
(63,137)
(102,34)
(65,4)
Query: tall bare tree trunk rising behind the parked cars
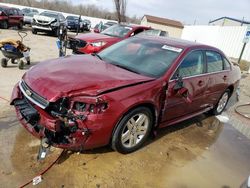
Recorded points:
(120,7)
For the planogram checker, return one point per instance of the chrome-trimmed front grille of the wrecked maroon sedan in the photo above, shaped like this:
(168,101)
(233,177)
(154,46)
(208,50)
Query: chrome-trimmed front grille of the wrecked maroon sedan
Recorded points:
(32,96)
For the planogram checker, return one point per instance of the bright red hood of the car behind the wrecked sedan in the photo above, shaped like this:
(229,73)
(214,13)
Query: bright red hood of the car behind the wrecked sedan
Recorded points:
(95,37)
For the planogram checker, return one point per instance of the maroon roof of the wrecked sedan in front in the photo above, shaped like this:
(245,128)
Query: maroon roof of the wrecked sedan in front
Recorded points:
(180,43)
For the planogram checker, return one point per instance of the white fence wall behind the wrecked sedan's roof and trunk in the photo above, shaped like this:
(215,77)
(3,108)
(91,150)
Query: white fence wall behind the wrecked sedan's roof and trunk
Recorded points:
(229,39)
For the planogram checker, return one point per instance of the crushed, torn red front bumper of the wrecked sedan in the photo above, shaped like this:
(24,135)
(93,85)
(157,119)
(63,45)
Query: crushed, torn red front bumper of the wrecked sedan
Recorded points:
(93,132)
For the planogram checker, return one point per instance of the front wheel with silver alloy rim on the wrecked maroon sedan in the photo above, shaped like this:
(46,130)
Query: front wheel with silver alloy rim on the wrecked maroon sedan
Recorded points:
(129,135)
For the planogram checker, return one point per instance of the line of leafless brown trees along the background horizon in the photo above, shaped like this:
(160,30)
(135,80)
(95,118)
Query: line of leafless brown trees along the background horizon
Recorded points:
(67,6)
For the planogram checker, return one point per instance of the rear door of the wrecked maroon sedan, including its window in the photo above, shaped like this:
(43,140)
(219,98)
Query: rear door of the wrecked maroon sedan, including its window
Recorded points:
(218,71)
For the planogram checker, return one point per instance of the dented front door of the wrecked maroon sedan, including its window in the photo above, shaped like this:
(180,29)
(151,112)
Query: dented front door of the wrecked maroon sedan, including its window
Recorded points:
(191,69)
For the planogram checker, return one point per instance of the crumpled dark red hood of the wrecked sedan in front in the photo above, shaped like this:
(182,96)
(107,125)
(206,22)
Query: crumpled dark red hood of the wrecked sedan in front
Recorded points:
(78,75)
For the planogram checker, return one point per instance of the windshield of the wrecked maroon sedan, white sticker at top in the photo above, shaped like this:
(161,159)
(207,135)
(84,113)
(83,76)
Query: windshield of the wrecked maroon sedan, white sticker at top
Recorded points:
(146,57)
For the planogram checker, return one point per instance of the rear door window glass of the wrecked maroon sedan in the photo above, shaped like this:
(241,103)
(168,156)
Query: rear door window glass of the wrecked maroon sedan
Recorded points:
(214,61)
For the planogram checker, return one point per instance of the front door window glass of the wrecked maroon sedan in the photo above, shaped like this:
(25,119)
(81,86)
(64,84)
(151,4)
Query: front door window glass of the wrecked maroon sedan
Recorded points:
(192,65)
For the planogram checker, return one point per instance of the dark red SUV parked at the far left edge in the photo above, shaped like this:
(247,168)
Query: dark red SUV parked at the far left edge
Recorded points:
(10,17)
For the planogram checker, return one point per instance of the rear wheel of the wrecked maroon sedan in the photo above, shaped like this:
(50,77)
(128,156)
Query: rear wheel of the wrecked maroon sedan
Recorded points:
(222,103)
